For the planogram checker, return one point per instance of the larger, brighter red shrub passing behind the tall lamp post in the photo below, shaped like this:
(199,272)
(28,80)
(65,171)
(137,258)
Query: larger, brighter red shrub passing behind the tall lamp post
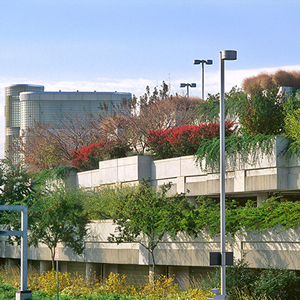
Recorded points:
(183,140)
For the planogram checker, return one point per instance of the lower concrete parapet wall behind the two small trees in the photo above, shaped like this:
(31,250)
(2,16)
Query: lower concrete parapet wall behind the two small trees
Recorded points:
(261,250)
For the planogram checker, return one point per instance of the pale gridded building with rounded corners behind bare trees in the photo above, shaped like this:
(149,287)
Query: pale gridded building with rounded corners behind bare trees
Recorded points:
(26,104)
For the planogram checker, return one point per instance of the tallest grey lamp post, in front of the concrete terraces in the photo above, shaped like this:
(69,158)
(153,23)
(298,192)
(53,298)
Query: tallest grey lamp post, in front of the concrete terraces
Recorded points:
(224,55)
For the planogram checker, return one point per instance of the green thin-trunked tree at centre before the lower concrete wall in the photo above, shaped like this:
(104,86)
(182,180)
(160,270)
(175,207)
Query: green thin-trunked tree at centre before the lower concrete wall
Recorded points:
(146,217)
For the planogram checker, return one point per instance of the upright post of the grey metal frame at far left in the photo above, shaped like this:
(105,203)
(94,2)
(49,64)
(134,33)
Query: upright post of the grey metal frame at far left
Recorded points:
(24,227)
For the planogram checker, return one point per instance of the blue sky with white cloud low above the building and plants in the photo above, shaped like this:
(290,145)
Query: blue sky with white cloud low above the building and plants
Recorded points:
(124,45)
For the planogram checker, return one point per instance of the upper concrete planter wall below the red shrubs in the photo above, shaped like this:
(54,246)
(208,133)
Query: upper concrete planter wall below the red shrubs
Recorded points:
(269,173)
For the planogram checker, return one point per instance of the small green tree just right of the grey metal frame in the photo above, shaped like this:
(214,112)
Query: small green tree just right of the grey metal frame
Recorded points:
(59,217)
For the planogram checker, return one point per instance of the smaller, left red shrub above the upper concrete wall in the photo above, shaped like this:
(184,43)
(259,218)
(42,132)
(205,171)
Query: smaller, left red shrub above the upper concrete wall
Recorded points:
(88,157)
